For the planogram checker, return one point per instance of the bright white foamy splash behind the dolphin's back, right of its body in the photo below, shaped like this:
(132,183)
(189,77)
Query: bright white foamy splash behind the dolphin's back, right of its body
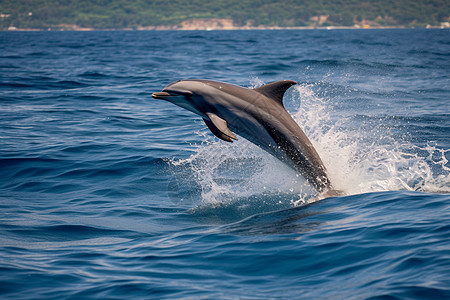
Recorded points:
(369,157)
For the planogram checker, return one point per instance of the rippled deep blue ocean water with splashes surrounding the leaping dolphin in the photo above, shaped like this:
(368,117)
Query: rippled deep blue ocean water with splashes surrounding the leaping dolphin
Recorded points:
(107,193)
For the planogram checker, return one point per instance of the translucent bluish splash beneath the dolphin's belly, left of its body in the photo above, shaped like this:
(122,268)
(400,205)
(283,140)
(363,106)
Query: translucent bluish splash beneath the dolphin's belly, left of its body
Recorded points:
(226,172)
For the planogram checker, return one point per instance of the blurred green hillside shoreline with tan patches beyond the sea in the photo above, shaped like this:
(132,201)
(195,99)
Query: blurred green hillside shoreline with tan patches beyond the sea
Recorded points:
(108,14)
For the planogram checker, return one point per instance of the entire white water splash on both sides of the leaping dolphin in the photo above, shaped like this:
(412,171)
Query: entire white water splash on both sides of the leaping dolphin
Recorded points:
(357,160)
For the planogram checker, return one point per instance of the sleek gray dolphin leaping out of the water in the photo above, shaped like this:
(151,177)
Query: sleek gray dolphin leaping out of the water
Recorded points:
(258,115)
